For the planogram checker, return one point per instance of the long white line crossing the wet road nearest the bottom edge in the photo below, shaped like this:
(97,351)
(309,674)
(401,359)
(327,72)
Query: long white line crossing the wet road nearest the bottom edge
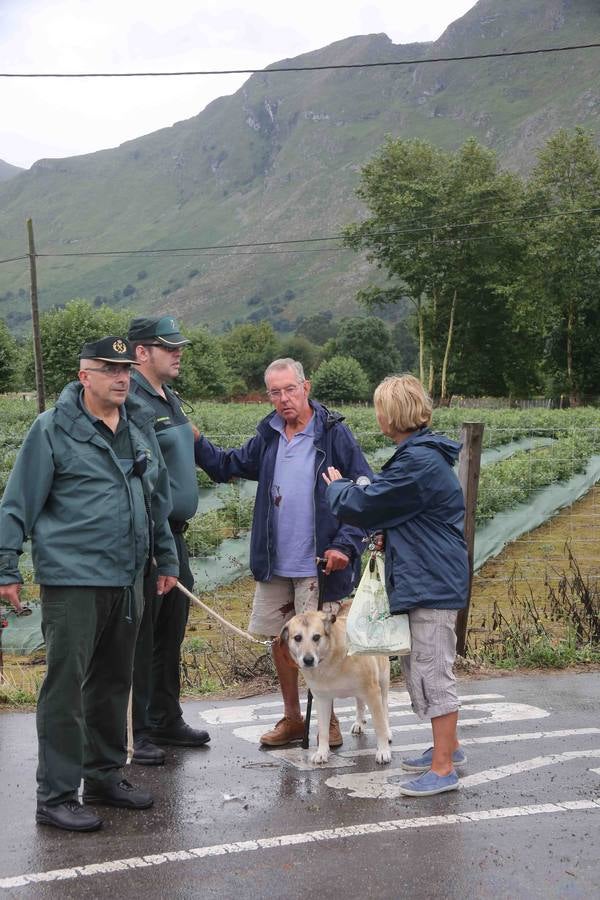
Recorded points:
(365,829)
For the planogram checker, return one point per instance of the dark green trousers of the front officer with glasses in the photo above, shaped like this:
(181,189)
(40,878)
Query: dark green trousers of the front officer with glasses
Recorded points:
(90,636)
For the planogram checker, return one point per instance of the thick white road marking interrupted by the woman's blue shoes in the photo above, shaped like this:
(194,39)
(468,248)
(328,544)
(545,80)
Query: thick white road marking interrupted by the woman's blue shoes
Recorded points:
(384,783)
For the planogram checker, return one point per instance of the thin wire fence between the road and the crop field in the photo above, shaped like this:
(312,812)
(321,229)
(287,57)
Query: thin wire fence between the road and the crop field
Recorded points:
(538,510)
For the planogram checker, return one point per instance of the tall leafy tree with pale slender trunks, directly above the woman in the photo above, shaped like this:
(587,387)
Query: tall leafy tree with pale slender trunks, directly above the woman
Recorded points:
(440,225)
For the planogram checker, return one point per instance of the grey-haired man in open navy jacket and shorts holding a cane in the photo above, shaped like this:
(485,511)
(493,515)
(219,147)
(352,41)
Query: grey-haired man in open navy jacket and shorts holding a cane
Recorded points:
(292,523)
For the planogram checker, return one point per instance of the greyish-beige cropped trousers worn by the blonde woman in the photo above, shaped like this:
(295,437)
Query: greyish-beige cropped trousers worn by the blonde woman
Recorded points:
(428,668)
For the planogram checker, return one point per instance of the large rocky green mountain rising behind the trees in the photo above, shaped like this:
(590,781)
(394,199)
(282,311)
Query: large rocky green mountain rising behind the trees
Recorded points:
(280,160)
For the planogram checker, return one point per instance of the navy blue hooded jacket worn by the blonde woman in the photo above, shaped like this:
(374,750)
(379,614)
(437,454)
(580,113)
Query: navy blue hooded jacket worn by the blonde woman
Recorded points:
(418,502)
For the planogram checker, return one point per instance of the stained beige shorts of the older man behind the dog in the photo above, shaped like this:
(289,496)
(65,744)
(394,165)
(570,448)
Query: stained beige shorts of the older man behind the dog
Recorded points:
(278,600)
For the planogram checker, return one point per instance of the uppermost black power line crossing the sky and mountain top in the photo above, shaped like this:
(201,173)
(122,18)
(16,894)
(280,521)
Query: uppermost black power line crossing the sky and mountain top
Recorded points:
(399,62)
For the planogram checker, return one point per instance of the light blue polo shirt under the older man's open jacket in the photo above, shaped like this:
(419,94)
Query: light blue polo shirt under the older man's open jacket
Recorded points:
(293,502)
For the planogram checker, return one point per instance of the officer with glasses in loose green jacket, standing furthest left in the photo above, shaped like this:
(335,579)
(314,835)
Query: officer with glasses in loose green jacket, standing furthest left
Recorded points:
(86,485)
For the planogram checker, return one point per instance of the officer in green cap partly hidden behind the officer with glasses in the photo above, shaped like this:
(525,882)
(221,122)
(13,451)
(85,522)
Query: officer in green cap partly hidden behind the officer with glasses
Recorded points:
(157,713)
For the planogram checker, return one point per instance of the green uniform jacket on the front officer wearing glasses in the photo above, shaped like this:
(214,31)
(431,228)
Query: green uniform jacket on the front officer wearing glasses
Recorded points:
(85,512)
